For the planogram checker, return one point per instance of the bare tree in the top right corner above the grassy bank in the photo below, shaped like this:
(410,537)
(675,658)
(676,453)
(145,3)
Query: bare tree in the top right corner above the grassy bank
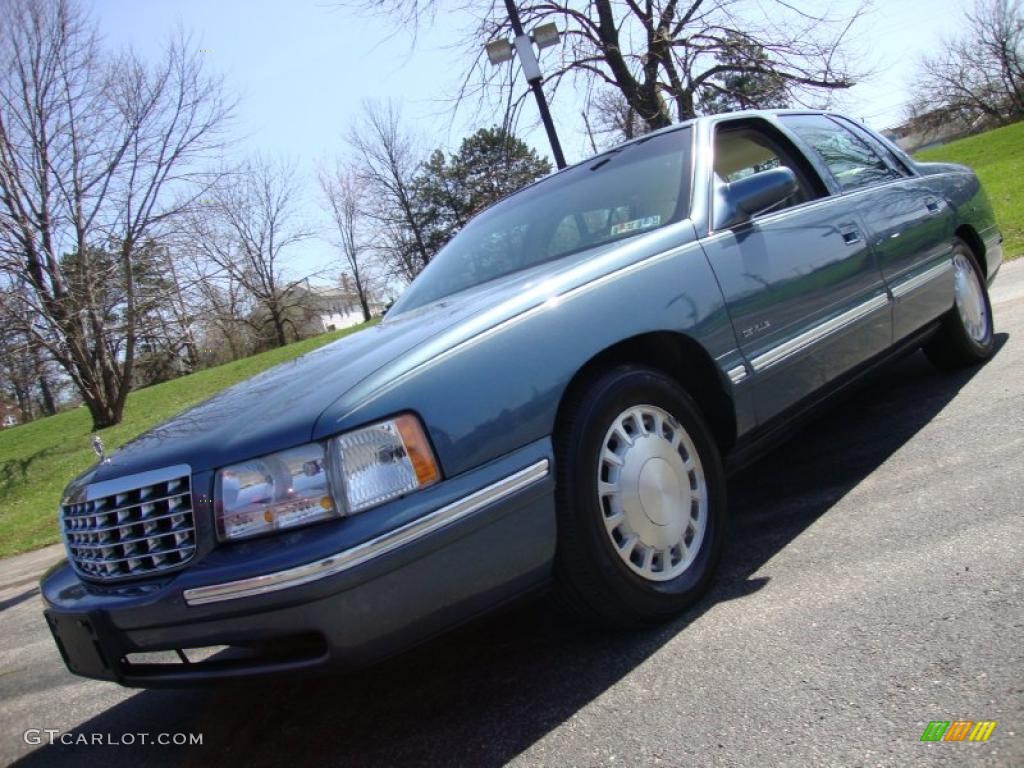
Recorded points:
(980,73)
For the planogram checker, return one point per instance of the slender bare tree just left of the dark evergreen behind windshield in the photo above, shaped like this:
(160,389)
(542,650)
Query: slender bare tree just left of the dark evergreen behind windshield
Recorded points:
(387,164)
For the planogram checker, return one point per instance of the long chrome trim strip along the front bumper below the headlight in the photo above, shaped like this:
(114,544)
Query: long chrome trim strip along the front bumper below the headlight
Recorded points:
(390,542)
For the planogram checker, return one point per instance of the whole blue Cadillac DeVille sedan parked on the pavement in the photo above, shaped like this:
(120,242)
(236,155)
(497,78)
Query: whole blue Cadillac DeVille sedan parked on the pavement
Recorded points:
(557,400)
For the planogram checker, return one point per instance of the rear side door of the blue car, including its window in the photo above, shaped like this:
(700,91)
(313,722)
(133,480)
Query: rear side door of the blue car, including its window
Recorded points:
(911,229)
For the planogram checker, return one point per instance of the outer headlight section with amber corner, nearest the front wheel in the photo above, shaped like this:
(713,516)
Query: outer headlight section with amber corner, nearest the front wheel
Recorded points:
(385,461)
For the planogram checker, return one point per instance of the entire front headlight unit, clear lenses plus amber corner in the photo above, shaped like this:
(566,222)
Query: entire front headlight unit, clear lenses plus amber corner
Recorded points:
(353,474)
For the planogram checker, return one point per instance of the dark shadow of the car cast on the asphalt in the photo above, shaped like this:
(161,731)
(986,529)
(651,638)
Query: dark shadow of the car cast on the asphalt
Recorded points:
(483,696)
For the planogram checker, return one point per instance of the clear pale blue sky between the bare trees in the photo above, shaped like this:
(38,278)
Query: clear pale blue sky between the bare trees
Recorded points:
(303,70)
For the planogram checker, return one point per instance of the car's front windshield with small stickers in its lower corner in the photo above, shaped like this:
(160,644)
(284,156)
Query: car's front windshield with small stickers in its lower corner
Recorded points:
(623,193)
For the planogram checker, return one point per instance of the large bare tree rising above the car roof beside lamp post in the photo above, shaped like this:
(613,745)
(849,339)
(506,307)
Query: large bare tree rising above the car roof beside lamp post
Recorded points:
(664,57)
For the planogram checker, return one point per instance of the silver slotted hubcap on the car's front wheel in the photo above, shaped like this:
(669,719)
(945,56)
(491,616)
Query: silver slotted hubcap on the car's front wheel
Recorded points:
(653,493)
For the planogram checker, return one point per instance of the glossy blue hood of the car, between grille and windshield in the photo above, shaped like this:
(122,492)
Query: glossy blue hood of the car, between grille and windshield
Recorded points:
(282,407)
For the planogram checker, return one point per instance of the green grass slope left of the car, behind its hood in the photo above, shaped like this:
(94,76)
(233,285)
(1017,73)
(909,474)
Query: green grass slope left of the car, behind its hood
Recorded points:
(39,458)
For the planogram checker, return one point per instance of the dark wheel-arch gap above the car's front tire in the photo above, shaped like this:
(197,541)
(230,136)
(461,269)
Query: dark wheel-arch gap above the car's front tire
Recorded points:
(679,357)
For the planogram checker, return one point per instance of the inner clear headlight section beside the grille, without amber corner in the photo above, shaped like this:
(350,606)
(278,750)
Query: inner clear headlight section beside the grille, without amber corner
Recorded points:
(275,492)
